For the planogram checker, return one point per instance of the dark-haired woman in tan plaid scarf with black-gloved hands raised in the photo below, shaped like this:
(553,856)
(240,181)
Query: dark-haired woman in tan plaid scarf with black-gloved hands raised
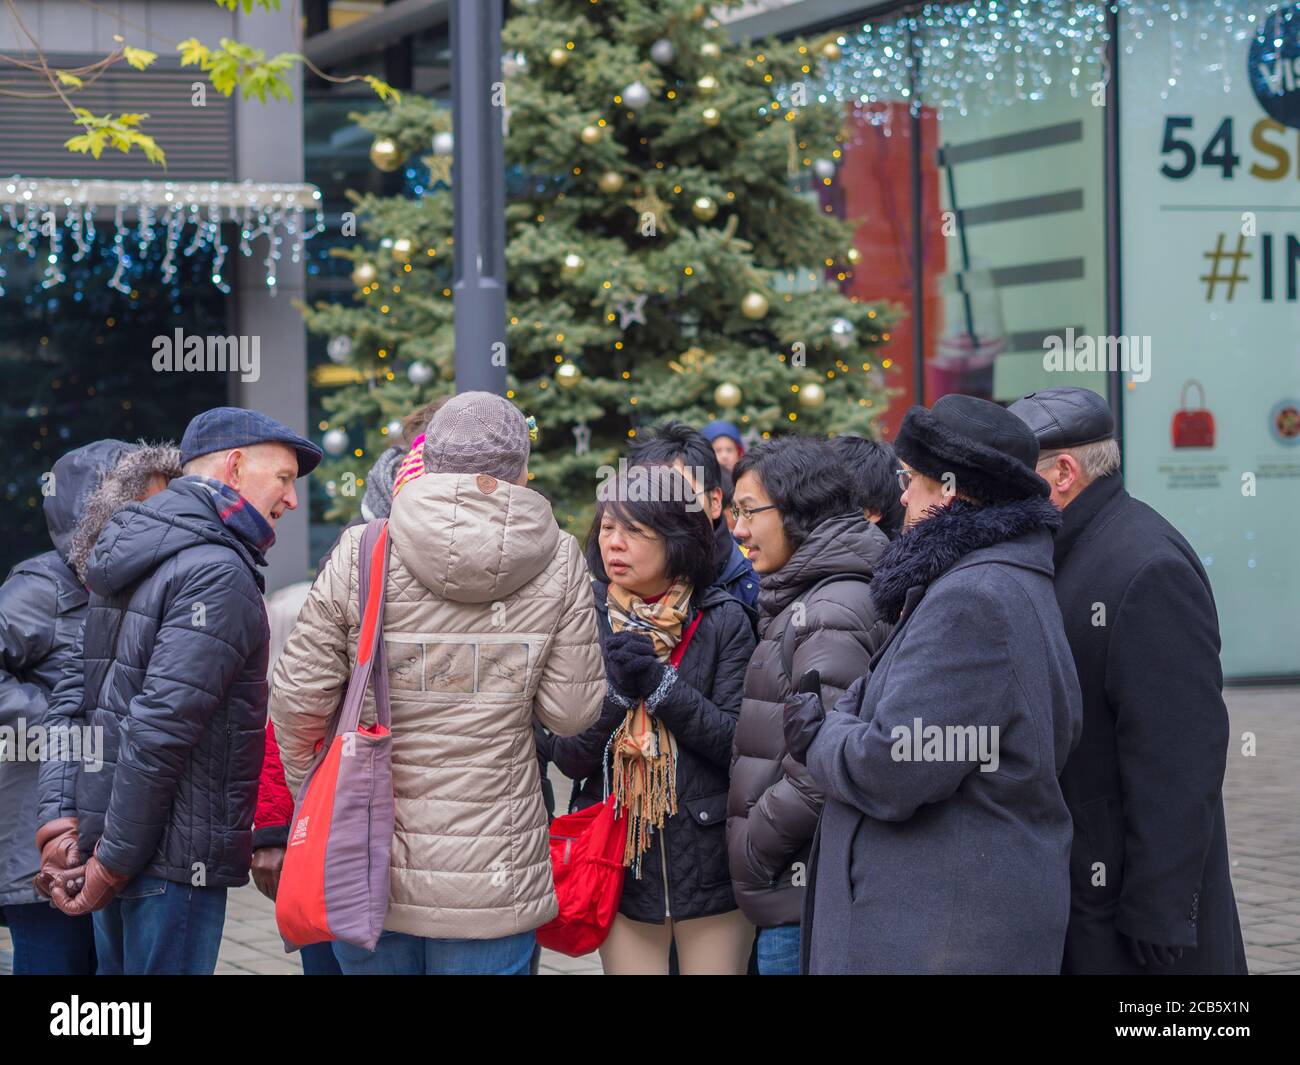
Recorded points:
(675,648)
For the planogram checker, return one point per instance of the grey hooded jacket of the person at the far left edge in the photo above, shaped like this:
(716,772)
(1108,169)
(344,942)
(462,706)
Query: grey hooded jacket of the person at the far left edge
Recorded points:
(42,609)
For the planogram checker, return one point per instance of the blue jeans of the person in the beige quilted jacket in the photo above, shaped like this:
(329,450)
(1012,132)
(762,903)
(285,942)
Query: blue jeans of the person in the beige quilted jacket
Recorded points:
(401,955)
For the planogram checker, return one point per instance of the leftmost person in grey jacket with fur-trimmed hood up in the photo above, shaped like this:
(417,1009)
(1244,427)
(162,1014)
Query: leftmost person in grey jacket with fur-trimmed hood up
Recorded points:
(42,611)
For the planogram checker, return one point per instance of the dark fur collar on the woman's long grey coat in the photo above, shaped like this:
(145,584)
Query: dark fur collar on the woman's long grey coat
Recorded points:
(931,548)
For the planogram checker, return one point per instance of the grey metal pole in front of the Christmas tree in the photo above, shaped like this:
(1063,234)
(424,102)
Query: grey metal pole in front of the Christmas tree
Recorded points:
(479,193)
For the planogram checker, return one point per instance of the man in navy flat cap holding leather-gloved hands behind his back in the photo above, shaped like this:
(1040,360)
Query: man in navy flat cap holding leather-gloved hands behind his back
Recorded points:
(174,670)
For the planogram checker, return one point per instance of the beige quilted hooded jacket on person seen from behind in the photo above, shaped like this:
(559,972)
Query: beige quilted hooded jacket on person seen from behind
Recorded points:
(489,622)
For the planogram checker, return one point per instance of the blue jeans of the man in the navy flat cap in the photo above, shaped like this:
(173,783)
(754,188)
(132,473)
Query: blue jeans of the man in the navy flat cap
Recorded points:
(161,928)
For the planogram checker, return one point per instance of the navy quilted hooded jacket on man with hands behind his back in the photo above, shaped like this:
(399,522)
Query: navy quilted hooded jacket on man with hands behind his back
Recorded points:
(180,690)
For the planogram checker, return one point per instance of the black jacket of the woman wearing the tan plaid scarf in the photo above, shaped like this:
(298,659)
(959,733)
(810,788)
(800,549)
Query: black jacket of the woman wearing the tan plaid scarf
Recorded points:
(700,711)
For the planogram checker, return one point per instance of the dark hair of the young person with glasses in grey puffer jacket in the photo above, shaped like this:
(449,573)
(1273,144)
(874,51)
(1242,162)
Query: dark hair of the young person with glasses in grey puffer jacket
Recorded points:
(804,478)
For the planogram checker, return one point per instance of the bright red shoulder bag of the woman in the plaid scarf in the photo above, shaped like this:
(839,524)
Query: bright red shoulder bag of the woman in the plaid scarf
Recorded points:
(587,861)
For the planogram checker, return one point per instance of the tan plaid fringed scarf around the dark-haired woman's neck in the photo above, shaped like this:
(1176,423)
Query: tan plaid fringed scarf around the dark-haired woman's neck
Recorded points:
(645,752)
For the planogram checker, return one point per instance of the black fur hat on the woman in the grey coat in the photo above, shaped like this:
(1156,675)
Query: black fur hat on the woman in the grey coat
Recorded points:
(987,449)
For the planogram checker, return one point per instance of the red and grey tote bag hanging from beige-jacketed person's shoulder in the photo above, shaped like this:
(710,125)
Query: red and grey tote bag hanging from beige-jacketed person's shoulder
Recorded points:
(335,884)
